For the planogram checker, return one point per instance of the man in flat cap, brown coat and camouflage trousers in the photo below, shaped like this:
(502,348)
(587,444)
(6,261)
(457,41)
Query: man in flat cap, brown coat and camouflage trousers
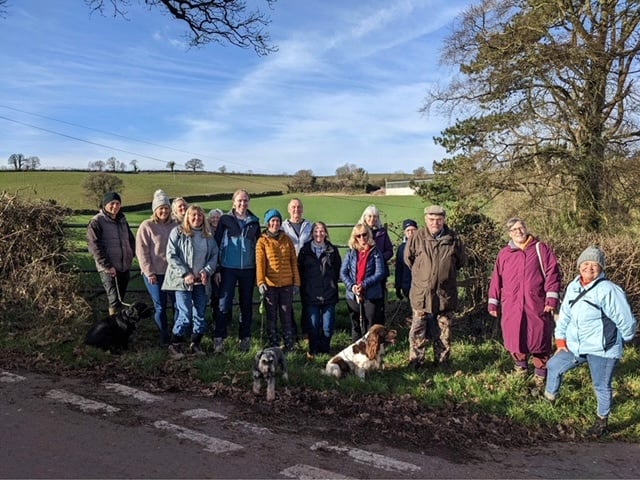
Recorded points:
(434,254)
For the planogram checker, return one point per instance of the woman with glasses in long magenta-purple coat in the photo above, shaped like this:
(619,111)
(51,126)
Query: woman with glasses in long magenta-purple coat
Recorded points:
(525,291)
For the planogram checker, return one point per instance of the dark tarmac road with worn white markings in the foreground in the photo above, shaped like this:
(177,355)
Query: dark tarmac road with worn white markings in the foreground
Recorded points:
(53,427)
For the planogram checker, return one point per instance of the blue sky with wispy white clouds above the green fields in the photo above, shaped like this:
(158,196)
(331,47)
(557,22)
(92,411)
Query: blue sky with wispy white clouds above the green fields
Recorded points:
(345,86)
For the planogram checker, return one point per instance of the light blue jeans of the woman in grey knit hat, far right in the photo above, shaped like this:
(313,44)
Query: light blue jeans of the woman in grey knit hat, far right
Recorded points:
(601,369)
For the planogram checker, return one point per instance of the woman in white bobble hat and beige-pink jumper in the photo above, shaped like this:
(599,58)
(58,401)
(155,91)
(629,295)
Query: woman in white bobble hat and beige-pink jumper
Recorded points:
(151,250)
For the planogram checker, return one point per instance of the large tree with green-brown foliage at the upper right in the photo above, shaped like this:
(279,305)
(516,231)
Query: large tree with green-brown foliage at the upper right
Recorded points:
(546,103)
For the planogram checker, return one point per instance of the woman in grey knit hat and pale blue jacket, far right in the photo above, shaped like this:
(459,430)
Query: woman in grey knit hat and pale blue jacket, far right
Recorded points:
(594,322)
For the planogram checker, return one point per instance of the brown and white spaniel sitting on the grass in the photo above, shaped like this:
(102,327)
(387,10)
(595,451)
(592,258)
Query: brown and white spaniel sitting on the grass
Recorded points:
(362,356)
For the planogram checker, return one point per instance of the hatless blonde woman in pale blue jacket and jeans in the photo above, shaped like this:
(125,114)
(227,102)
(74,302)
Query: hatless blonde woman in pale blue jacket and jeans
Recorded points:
(192,257)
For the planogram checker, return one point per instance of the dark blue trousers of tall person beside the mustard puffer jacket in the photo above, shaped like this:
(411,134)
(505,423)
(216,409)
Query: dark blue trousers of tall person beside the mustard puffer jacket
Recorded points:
(246,280)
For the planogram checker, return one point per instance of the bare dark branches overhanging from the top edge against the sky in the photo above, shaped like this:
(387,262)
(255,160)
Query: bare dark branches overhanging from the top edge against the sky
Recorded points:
(220,21)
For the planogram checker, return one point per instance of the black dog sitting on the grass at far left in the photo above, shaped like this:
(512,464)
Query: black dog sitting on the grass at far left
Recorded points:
(113,333)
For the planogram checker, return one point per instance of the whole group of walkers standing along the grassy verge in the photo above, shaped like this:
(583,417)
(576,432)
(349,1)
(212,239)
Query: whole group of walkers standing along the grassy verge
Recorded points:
(194,260)
